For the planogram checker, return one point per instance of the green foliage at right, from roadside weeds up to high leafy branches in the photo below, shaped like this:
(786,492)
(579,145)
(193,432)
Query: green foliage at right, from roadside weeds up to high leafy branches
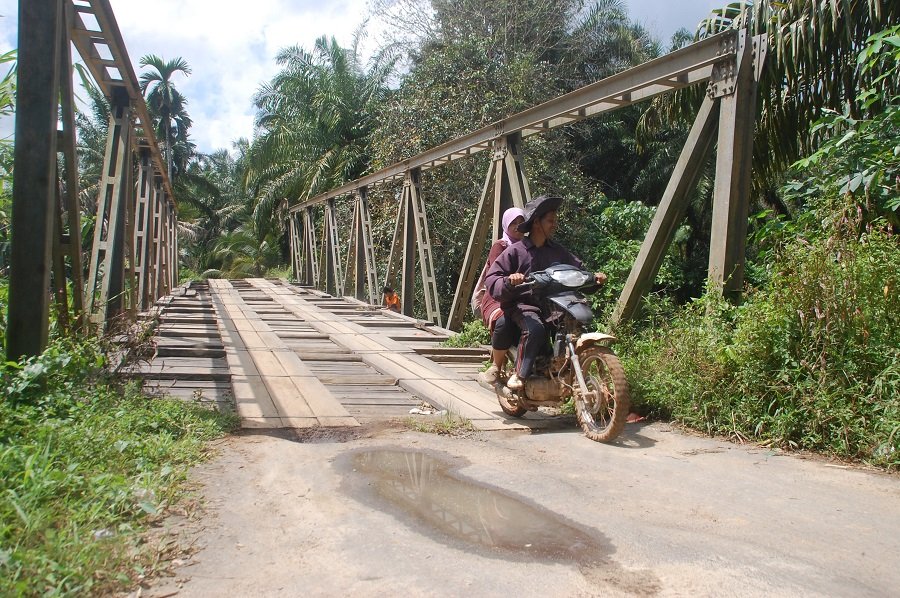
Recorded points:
(812,358)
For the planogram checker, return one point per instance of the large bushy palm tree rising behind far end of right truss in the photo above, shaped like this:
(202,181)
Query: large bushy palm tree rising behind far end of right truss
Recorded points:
(313,120)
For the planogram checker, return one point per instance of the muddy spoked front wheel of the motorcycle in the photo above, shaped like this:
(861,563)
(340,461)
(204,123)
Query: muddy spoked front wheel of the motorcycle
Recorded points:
(603,410)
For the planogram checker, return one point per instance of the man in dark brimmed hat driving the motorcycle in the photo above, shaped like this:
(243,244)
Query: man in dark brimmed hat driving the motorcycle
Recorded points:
(503,281)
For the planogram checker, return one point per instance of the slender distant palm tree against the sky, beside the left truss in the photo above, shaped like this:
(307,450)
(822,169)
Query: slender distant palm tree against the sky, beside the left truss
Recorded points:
(164,100)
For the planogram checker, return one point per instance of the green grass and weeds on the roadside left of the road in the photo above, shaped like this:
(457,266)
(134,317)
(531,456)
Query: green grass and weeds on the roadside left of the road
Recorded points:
(84,466)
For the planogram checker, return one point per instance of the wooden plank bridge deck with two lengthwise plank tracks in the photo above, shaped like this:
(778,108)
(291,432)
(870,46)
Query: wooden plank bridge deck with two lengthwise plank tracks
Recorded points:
(285,356)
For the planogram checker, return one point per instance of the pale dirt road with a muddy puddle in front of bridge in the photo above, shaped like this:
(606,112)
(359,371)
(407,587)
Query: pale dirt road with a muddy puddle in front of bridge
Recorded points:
(387,512)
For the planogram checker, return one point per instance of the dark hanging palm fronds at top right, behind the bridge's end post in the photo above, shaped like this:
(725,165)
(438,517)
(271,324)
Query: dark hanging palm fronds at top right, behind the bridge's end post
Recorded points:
(811,67)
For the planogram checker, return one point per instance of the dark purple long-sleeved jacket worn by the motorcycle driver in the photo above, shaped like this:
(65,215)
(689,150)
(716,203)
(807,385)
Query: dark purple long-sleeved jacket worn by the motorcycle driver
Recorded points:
(524,257)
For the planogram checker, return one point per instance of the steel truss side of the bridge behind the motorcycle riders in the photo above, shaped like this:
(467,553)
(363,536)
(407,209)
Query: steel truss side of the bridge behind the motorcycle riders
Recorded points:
(729,63)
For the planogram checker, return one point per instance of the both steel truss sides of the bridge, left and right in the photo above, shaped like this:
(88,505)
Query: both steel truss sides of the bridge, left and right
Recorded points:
(133,260)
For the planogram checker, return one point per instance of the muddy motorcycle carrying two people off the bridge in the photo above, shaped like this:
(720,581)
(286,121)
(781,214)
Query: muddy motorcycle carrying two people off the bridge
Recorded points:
(575,364)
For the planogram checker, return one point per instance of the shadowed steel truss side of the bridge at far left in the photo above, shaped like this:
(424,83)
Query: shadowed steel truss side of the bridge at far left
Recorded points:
(133,258)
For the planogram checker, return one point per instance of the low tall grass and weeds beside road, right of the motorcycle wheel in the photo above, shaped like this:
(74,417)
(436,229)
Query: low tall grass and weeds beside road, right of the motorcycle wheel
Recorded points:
(811,361)
